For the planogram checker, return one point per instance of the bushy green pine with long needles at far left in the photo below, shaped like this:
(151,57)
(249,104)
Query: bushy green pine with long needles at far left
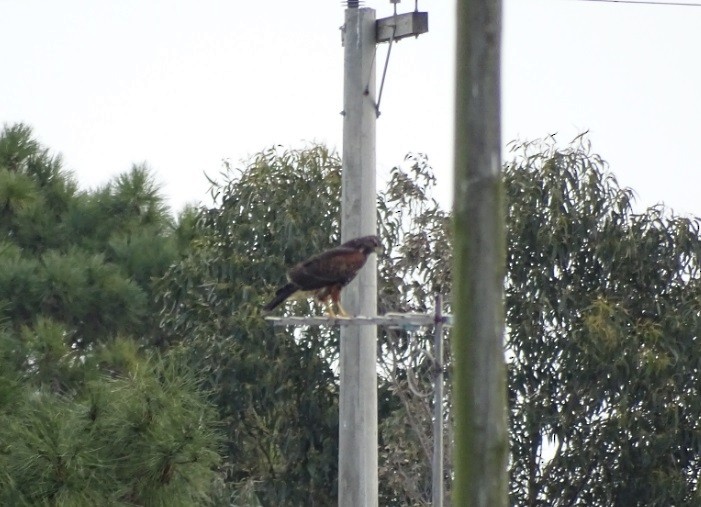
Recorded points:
(88,417)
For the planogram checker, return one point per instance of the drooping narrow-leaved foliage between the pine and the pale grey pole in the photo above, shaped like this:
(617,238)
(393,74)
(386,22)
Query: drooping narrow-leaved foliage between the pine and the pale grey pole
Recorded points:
(275,391)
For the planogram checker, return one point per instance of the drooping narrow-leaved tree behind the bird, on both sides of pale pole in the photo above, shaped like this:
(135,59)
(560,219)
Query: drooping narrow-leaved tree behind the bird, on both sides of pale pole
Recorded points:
(278,390)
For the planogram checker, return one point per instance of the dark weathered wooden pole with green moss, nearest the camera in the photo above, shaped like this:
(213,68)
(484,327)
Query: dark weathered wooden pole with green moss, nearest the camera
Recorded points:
(481,443)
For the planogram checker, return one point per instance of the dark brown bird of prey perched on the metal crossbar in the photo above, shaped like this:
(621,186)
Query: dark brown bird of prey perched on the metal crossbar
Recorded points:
(324,275)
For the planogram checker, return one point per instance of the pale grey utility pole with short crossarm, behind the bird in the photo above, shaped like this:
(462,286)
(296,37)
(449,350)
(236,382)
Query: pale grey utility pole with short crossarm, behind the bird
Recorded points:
(357,468)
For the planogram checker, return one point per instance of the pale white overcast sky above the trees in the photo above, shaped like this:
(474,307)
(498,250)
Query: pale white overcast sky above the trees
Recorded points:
(183,84)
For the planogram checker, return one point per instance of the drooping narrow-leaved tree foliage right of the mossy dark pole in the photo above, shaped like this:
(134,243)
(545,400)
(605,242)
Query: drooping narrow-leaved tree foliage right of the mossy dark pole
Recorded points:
(603,330)
